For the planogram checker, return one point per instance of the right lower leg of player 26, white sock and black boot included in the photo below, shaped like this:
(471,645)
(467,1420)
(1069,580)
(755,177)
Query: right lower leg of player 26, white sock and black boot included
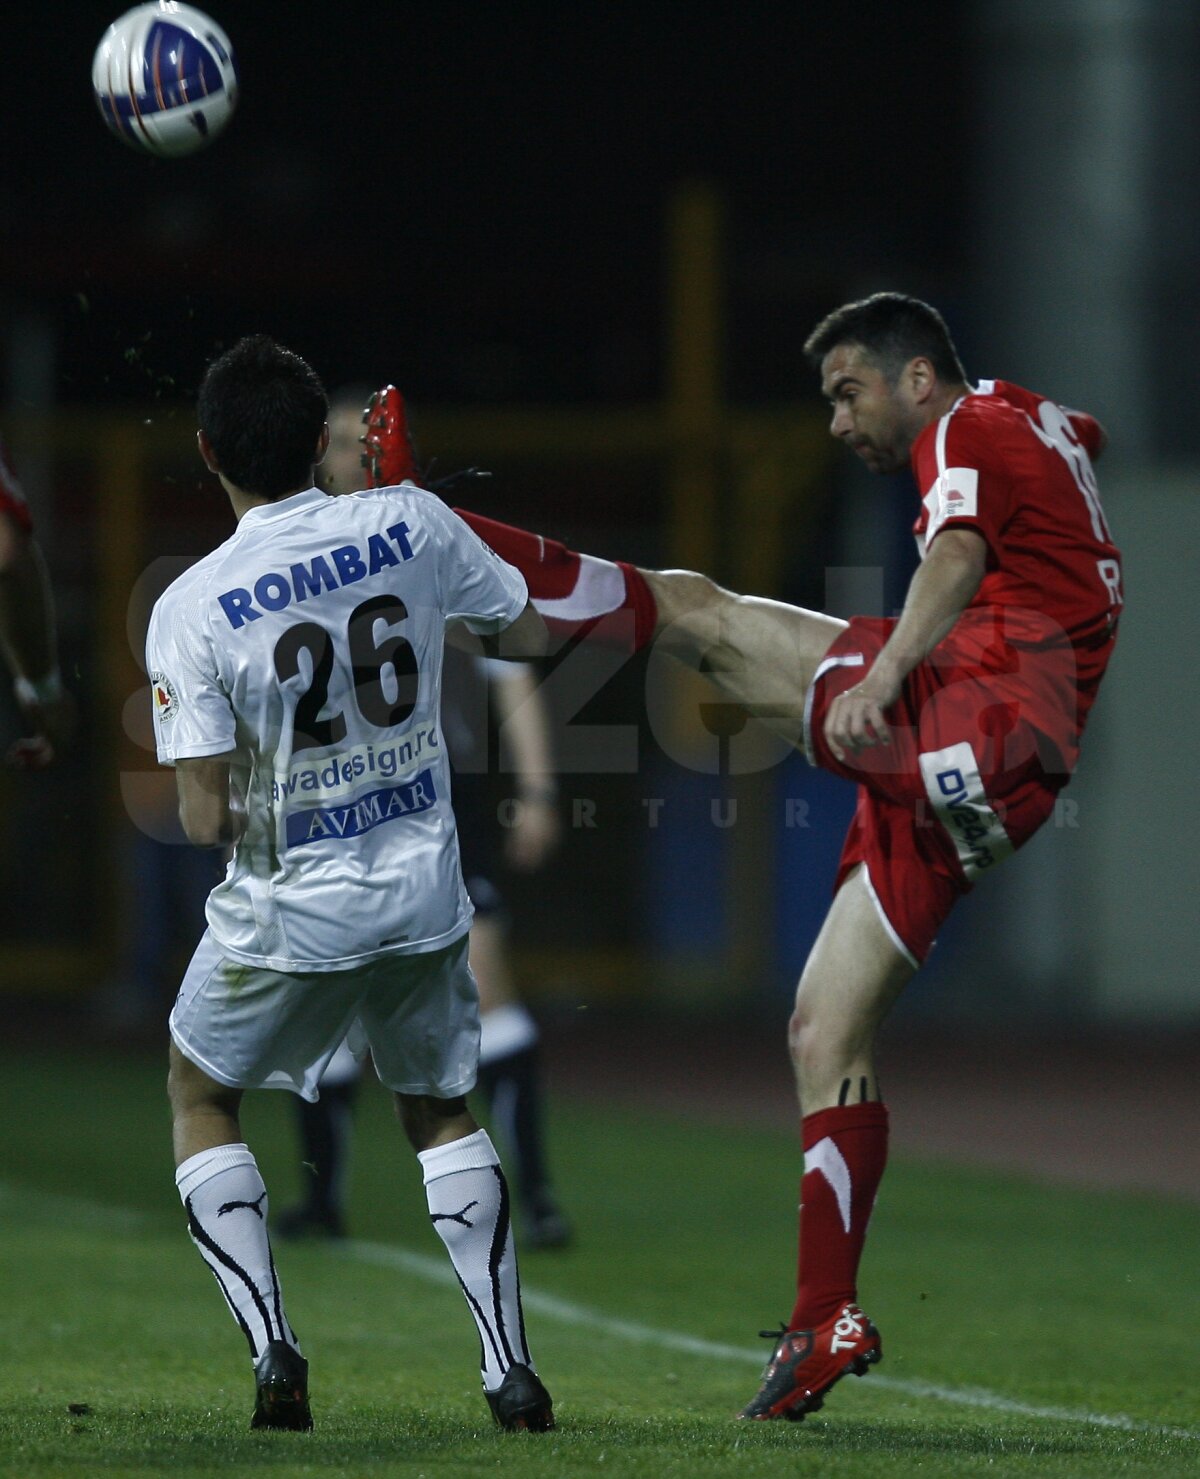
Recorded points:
(471,1211)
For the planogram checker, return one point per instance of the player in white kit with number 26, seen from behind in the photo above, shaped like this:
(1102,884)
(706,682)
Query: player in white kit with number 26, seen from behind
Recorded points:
(297,681)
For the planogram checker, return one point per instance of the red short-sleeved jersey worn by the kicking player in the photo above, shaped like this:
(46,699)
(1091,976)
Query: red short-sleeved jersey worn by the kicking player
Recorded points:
(1042,625)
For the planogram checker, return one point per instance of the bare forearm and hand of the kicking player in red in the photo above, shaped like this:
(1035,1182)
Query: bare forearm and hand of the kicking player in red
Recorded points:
(940,591)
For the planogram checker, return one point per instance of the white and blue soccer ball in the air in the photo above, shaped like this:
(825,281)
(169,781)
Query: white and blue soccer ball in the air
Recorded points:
(165,79)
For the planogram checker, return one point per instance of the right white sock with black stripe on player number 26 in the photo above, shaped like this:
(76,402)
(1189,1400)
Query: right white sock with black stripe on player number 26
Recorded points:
(470,1206)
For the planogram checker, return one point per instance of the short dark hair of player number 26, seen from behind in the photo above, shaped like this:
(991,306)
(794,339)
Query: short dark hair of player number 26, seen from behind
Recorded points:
(263,409)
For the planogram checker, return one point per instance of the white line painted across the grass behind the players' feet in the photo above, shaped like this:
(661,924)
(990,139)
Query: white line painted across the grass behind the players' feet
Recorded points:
(439,1271)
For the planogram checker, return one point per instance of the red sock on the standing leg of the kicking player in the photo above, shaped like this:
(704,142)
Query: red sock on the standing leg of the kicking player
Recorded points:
(846,1151)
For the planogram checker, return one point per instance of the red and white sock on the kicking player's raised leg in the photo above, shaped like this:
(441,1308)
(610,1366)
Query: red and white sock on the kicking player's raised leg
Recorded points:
(578,595)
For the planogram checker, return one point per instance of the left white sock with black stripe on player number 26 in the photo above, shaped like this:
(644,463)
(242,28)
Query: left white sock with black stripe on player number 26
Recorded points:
(226,1200)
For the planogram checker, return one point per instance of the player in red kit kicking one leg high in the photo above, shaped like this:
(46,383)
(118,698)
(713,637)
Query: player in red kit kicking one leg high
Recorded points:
(960,722)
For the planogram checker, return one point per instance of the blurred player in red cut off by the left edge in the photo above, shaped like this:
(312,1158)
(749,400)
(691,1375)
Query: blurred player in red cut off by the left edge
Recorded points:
(27,632)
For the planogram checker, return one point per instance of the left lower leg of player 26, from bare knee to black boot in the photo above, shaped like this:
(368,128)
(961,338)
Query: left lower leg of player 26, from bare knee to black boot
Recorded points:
(226,1200)
